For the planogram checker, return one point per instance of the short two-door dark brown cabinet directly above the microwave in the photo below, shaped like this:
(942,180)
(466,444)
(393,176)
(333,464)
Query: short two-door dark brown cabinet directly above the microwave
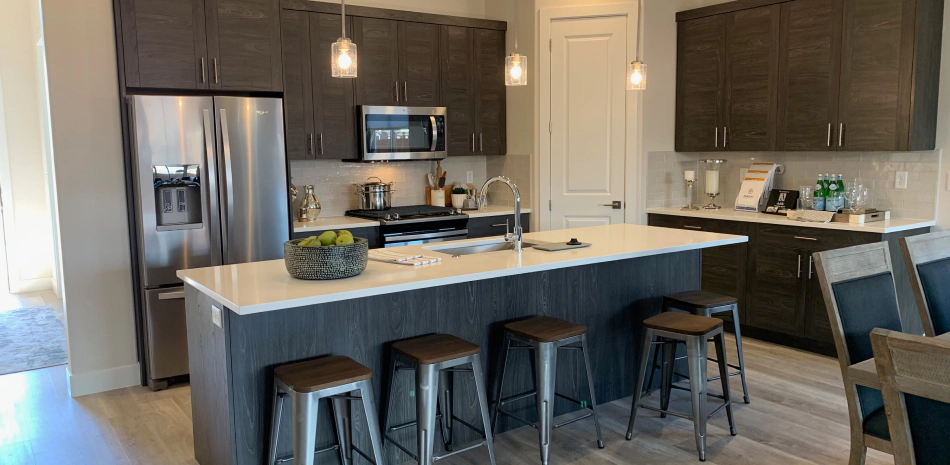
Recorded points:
(398,62)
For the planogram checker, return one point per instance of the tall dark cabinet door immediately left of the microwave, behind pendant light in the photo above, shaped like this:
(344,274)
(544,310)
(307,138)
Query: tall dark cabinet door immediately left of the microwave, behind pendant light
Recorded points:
(334,105)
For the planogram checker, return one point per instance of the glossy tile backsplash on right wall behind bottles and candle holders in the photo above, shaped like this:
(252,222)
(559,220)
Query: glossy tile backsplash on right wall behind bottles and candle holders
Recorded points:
(666,188)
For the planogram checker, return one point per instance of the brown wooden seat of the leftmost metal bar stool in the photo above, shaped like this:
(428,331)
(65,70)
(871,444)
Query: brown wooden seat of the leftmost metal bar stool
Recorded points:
(322,373)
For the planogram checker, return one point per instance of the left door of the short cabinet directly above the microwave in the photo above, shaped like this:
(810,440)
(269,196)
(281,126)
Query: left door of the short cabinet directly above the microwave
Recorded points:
(378,56)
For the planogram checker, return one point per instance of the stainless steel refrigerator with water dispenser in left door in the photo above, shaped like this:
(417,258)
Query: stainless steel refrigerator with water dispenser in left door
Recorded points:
(211,187)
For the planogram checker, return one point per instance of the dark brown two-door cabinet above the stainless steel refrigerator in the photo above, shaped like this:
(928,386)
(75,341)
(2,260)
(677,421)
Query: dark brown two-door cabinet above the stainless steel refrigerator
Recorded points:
(201,44)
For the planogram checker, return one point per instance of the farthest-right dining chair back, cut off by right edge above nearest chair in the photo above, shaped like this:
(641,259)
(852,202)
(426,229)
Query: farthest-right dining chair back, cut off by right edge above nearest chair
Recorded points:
(927,258)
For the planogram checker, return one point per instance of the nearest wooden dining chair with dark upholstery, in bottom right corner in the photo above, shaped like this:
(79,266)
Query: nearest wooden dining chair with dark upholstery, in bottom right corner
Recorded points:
(915,382)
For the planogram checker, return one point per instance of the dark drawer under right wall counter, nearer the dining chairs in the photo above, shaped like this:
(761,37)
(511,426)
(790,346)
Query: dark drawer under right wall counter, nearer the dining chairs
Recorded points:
(814,239)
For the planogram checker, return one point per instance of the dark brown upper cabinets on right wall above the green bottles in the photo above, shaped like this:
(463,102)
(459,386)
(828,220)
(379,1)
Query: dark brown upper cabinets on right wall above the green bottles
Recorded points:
(853,75)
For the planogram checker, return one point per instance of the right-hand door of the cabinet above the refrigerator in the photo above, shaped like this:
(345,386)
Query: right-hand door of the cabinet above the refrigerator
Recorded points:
(244,44)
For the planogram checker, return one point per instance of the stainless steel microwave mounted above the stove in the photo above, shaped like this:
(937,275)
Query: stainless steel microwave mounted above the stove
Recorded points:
(402,133)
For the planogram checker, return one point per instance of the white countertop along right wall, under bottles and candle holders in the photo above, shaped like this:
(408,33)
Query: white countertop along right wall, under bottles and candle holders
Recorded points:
(877,227)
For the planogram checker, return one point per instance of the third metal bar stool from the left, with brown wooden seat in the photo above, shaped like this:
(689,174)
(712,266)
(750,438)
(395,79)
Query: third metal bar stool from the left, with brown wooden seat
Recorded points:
(545,336)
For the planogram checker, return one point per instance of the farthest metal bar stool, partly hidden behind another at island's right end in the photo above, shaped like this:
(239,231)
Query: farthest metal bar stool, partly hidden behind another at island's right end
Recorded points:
(707,304)
